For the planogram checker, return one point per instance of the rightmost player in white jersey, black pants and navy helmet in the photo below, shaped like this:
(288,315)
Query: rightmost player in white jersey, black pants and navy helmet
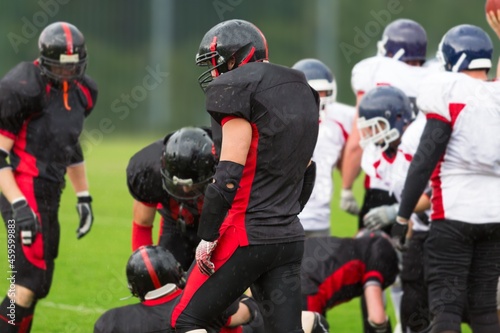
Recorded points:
(463,117)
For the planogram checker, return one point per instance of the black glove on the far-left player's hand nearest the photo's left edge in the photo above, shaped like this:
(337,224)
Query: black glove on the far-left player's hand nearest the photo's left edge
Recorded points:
(26,222)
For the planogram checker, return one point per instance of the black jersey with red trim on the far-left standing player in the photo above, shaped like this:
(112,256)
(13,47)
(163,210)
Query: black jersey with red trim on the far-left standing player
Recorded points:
(44,124)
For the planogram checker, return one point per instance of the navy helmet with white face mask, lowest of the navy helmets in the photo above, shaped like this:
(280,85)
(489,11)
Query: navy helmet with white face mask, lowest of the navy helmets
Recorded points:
(383,113)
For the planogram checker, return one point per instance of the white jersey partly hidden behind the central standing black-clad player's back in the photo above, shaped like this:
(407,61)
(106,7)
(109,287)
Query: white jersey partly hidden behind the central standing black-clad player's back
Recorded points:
(333,132)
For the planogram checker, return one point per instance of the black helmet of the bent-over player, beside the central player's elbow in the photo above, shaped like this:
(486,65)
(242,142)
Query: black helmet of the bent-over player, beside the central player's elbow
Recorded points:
(187,163)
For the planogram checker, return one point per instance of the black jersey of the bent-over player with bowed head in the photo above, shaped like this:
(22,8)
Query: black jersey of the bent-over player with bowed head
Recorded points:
(145,185)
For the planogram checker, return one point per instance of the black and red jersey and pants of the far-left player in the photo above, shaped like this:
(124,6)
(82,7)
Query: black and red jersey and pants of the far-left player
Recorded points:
(45,127)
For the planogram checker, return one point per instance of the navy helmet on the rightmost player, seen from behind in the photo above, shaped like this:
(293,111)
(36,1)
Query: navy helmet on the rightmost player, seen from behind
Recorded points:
(465,47)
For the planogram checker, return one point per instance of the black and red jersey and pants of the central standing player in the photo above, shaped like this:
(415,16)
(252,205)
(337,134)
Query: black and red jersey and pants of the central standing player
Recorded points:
(261,237)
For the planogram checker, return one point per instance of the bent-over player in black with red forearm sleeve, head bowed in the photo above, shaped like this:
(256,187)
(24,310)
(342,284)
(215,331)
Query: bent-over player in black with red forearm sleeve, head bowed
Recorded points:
(170,176)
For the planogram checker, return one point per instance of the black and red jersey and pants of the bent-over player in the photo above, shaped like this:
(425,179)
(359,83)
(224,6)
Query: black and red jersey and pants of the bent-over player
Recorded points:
(179,218)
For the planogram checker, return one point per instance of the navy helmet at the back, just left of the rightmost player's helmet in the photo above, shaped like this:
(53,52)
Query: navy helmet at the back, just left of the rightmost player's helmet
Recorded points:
(404,40)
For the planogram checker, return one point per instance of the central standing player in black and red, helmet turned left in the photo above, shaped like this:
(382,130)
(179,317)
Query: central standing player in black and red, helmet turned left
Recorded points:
(265,126)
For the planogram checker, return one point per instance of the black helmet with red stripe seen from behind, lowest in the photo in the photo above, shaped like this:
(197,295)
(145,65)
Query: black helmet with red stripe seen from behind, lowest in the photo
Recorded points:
(151,267)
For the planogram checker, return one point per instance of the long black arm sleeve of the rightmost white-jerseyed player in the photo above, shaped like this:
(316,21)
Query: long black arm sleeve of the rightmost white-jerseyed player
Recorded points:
(431,148)
